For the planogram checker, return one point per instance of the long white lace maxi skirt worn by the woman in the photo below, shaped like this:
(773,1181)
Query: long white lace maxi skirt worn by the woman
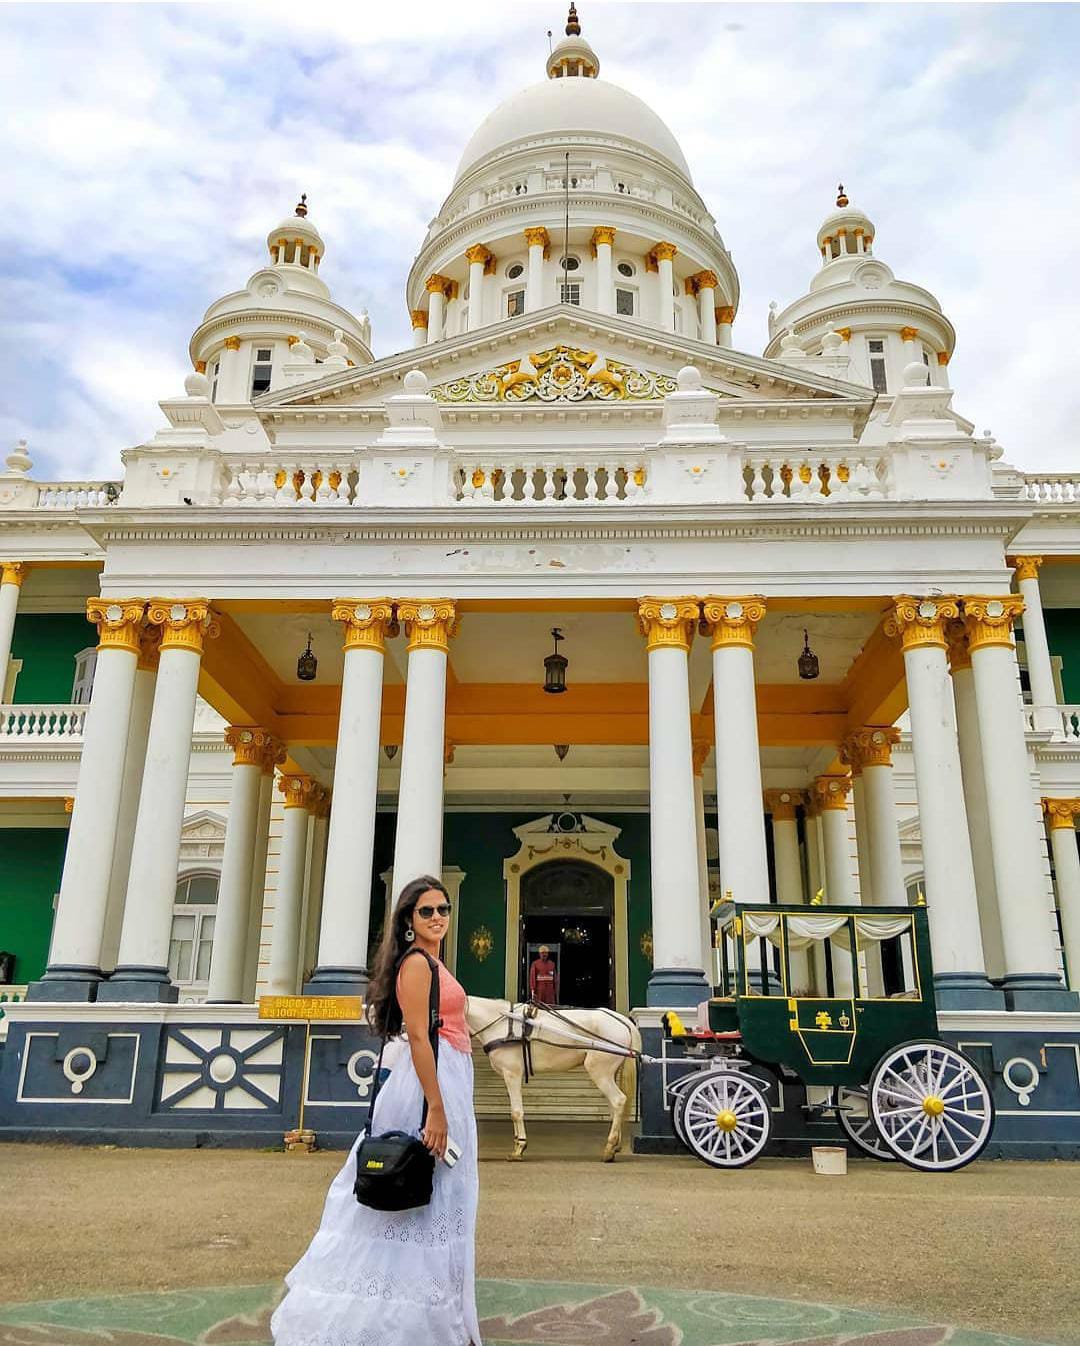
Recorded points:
(375,1278)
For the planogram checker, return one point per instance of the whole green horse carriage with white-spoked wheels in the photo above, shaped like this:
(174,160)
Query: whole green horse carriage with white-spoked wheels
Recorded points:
(868,1049)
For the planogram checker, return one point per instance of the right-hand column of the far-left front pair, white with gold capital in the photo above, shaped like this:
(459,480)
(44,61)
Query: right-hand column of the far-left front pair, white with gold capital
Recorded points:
(142,967)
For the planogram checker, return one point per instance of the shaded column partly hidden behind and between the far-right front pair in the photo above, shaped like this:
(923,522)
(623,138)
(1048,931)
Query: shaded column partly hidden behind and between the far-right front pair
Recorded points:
(972,768)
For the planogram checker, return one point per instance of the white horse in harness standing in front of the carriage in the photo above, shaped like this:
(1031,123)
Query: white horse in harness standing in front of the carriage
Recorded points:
(555,1045)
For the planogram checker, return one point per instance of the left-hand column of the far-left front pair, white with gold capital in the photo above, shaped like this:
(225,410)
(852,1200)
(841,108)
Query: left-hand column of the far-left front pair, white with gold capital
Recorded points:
(75,956)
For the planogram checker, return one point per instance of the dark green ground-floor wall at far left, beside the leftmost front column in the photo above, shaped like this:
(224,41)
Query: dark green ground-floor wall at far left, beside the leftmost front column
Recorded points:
(30,874)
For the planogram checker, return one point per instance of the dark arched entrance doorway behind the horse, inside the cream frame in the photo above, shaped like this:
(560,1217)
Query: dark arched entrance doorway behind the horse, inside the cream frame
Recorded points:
(569,907)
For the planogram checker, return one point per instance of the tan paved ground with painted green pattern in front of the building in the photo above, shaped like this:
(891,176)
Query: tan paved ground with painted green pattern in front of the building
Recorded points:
(768,1254)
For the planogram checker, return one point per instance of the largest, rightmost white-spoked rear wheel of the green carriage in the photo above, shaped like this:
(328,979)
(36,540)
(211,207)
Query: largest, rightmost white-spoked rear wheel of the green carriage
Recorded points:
(931,1106)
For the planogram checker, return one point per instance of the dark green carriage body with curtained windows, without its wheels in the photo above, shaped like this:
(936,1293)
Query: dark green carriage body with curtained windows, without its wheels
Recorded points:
(829,1040)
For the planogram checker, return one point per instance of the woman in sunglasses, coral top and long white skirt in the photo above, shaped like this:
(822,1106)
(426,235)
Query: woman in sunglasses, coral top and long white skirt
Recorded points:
(402,1278)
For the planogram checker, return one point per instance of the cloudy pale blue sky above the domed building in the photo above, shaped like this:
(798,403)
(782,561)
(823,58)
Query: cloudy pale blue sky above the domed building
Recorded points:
(149,149)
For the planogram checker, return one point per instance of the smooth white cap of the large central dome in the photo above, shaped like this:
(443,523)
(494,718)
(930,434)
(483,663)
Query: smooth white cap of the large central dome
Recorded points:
(573,107)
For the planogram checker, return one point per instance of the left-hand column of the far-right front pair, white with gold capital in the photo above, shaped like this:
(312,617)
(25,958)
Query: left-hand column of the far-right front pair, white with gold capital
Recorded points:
(954,908)
